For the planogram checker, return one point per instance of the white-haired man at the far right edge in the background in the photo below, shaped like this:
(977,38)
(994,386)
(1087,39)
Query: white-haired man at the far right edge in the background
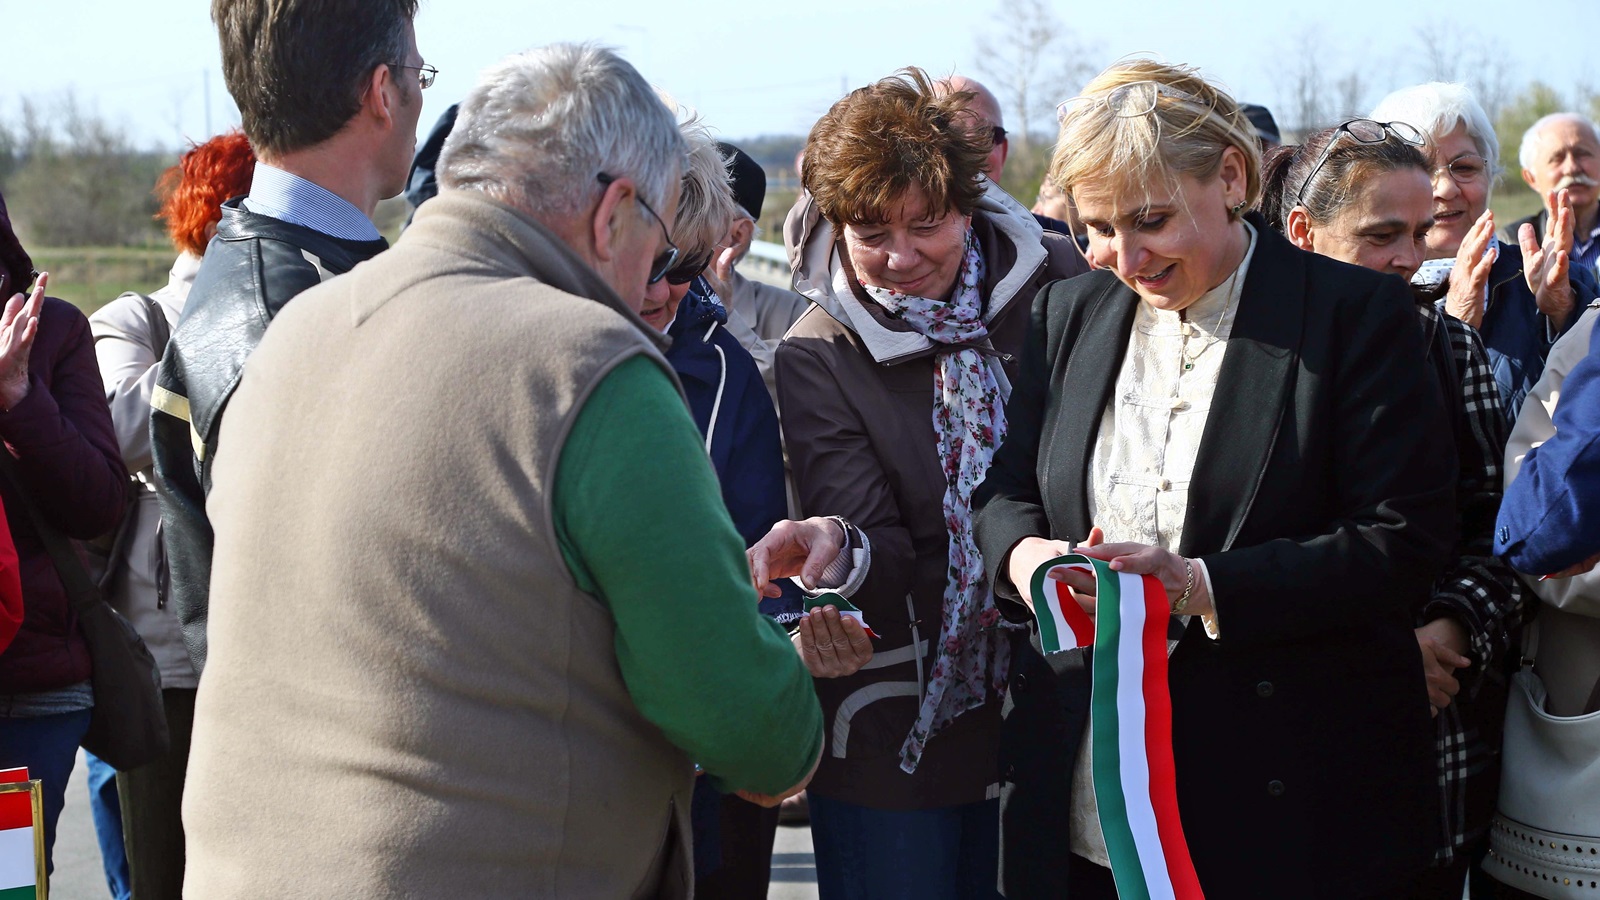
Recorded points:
(1562,153)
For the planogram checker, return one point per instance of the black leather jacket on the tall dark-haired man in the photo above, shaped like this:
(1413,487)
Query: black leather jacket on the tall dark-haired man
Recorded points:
(252,268)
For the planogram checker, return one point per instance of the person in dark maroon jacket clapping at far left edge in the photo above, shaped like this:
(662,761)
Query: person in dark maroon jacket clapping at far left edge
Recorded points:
(63,462)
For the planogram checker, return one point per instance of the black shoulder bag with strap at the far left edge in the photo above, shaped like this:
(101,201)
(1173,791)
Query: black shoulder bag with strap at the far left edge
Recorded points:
(129,723)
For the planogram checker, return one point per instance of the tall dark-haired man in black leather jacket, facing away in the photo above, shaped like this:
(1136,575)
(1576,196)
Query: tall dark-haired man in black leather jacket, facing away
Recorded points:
(330,97)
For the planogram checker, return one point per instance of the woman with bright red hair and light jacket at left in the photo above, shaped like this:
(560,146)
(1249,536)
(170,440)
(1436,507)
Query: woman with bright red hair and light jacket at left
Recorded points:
(130,335)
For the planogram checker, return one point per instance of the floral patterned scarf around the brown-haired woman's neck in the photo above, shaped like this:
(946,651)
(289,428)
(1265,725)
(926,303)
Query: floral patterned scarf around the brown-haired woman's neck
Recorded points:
(969,419)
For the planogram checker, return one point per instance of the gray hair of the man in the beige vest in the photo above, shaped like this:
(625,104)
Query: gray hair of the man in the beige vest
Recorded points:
(542,126)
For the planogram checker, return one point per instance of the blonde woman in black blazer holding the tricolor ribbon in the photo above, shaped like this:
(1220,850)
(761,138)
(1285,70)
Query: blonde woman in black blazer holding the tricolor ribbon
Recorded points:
(1247,425)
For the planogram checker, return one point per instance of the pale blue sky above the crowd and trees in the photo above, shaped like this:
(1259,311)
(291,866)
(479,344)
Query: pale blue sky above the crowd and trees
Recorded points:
(774,68)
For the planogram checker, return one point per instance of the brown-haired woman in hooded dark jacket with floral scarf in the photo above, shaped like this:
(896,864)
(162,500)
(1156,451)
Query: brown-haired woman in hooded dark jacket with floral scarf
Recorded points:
(890,396)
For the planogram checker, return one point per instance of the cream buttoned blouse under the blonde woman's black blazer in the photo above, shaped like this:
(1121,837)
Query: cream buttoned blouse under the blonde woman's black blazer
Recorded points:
(1145,457)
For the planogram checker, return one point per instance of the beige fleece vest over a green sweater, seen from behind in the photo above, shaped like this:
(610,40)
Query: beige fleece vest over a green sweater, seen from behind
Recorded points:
(407,694)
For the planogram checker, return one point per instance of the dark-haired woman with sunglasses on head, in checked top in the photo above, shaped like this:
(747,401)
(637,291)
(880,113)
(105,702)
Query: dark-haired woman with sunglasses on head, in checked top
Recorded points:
(1362,193)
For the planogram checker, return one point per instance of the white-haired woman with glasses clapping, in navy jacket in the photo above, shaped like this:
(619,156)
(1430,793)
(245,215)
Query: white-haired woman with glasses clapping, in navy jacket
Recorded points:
(1521,297)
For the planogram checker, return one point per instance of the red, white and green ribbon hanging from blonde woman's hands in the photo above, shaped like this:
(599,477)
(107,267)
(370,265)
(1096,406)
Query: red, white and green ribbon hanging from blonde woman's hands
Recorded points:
(1130,718)
